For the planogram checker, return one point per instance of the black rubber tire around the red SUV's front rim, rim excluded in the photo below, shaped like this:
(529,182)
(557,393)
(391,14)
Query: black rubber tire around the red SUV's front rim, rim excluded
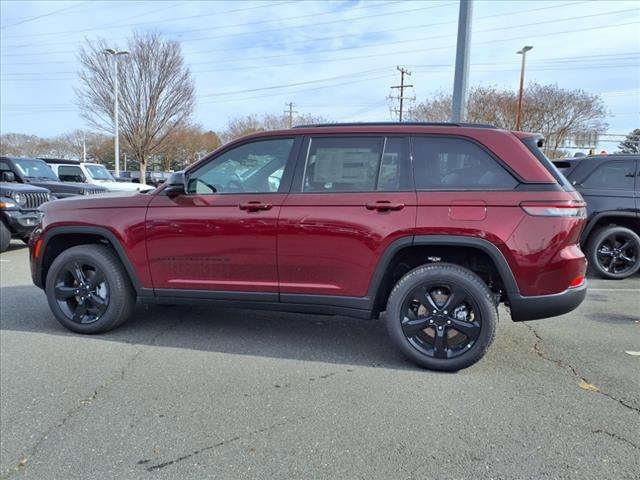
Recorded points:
(121,295)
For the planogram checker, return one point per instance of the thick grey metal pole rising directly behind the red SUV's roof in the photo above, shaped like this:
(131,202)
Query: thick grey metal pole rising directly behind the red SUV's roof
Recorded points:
(459,111)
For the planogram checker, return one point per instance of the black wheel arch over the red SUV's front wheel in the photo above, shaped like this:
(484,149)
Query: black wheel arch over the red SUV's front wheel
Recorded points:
(59,239)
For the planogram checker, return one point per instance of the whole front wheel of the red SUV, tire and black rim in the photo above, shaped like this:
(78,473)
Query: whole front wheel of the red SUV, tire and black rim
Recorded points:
(94,299)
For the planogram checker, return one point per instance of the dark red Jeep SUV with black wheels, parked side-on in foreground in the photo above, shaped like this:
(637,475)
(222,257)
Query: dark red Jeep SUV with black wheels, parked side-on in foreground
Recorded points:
(434,224)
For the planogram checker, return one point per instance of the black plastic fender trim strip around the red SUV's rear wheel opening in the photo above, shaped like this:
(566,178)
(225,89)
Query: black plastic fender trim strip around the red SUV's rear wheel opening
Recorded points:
(445,240)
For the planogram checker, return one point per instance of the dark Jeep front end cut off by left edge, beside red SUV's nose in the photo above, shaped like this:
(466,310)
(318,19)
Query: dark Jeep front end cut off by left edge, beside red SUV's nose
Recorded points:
(19,212)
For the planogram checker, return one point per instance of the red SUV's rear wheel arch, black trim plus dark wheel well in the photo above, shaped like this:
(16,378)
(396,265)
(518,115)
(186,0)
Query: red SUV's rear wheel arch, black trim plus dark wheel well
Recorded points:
(391,265)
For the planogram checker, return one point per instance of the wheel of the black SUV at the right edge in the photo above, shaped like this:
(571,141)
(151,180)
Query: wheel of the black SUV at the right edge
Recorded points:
(614,252)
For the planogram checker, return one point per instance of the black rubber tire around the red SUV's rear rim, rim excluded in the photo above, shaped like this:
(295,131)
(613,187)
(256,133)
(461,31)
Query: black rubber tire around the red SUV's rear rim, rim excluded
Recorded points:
(447,273)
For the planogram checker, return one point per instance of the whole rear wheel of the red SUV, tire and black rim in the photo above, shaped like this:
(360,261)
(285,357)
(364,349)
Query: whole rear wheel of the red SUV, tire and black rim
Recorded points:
(458,338)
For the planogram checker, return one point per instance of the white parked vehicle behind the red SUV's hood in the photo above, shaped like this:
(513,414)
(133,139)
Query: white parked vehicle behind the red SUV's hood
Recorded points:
(92,173)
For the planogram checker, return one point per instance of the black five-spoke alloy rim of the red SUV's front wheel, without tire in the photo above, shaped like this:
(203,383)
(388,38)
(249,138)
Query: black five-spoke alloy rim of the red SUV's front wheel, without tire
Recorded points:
(82,291)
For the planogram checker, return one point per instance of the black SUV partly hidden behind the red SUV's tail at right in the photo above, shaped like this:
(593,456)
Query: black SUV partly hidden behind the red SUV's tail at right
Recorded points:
(610,185)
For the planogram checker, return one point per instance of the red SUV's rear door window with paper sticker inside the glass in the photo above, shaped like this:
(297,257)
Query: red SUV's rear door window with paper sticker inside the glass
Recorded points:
(356,164)
